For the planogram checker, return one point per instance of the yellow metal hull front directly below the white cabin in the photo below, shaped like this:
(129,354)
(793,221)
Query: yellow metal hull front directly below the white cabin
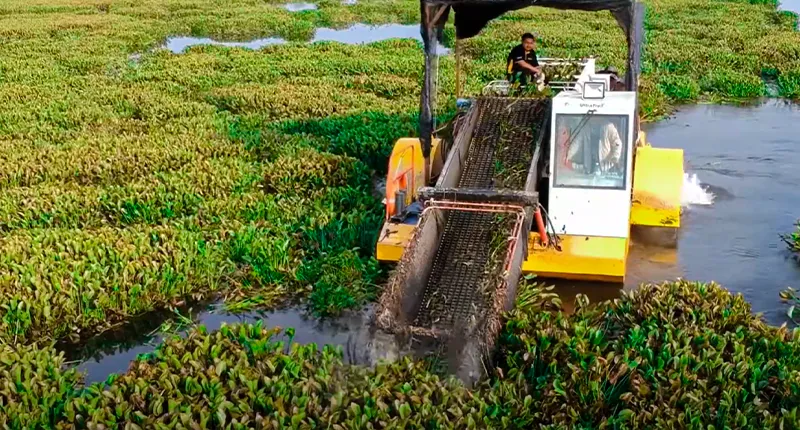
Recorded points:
(580,258)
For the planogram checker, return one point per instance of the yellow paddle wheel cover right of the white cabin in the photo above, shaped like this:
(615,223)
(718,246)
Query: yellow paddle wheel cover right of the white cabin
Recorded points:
(657,186)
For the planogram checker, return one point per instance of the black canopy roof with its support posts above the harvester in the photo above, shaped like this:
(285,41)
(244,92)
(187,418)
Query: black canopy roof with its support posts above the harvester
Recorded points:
(471,16)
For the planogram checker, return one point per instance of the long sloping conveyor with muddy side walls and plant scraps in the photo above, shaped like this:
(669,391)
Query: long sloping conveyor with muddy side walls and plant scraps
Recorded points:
(460,269)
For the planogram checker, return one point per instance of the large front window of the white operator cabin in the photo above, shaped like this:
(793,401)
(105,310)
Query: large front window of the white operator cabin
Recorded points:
(591,151)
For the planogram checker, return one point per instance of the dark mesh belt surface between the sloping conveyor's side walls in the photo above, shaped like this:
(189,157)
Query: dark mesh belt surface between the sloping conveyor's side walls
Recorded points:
(453,291)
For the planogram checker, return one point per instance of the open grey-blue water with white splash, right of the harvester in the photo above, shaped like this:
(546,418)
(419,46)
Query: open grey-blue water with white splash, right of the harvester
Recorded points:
(746,160)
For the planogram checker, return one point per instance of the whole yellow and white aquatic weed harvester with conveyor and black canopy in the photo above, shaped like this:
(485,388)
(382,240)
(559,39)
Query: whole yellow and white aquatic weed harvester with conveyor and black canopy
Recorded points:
(523,184)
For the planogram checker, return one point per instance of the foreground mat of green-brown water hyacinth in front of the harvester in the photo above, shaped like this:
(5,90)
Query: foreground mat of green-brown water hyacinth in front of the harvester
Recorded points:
(677,355)
